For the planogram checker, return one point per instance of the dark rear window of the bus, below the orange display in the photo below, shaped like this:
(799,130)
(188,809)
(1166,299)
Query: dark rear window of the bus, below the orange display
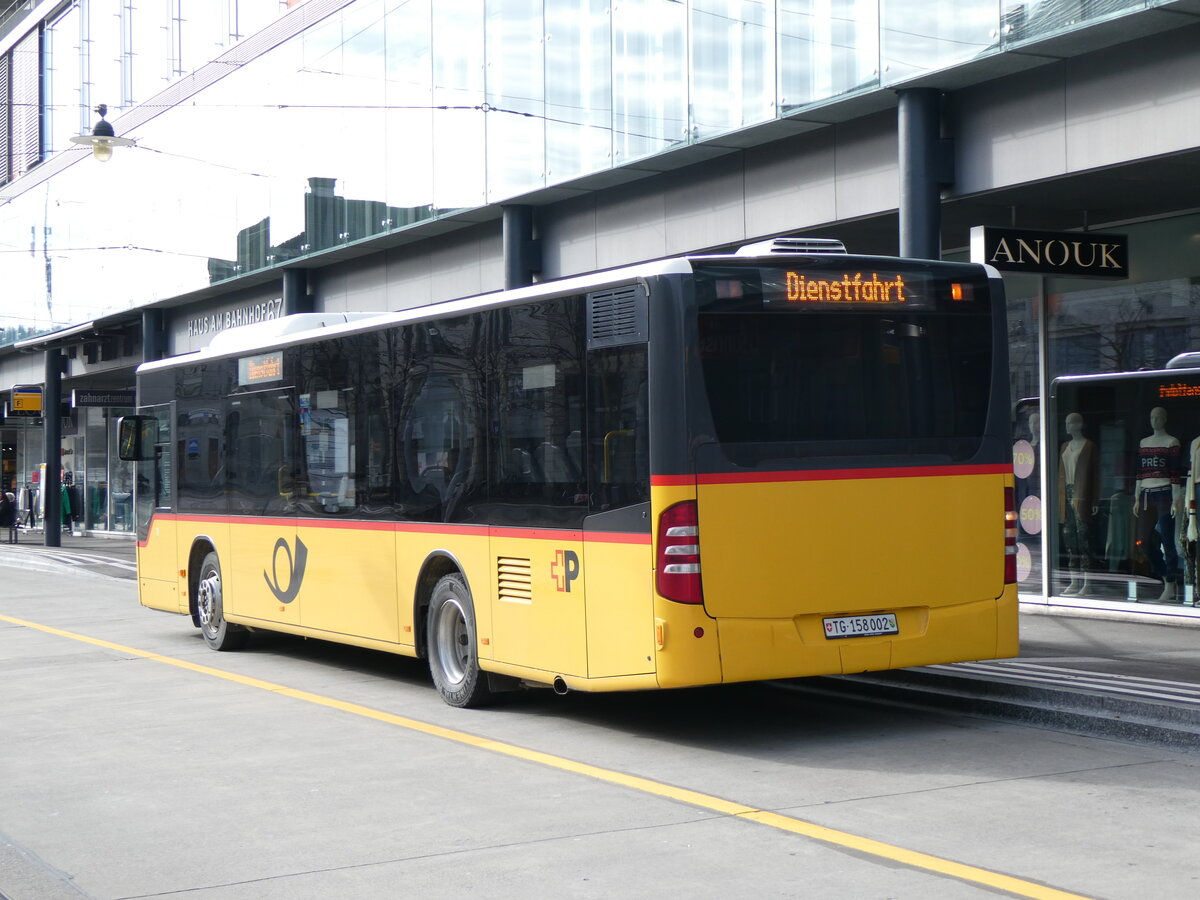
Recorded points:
(838,387)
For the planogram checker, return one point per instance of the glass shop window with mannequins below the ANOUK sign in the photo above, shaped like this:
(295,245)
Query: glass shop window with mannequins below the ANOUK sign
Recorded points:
(1107,451)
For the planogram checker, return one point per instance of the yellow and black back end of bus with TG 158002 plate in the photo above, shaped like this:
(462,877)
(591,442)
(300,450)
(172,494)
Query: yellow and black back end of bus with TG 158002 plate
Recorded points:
(837,494)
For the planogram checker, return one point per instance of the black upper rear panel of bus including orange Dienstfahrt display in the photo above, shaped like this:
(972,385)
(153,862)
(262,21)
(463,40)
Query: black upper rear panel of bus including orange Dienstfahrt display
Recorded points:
(844,364)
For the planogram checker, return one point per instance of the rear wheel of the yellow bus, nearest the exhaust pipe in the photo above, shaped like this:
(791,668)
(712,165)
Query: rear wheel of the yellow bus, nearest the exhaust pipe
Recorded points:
(453,645)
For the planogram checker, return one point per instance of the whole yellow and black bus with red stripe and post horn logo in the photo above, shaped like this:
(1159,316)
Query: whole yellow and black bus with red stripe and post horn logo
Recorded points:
(785,461)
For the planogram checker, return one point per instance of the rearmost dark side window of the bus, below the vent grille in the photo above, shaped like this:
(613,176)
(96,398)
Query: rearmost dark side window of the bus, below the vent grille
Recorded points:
(619,428)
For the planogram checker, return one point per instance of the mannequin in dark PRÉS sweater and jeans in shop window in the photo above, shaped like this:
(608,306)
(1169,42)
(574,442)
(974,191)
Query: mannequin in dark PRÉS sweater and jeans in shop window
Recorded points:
(1159,501)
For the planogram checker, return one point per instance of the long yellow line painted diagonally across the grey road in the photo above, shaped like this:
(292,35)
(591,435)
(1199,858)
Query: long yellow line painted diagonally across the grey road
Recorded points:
(915,860)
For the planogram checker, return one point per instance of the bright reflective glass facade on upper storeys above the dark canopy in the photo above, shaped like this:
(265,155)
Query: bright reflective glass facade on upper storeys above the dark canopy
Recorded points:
(369,117)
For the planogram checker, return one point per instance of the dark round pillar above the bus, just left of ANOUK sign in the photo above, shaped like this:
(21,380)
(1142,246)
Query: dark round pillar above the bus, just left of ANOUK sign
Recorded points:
(927,164)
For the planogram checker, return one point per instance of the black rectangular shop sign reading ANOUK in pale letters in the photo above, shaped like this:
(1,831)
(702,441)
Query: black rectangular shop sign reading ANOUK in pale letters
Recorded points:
(1085,254)
